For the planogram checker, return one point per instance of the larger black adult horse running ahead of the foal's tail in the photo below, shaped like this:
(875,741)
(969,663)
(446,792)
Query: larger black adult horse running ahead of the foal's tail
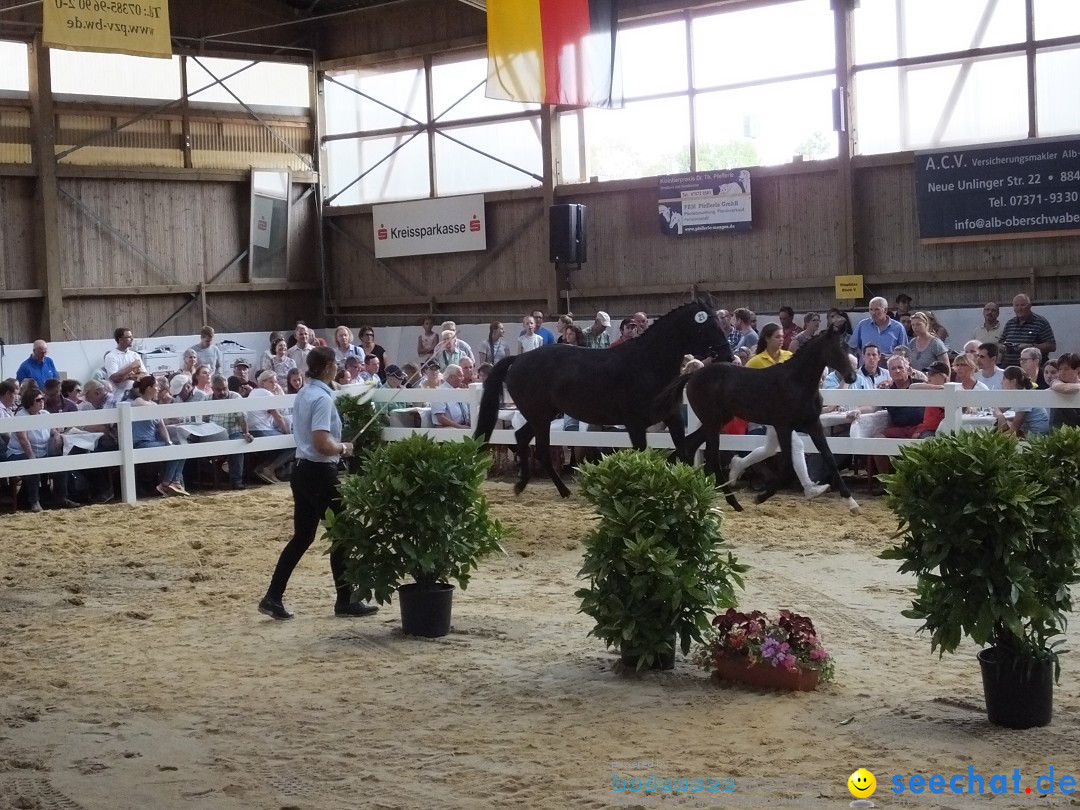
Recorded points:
(616,386)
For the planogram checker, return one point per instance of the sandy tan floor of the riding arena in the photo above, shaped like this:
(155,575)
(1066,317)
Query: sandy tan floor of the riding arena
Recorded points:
(137,673)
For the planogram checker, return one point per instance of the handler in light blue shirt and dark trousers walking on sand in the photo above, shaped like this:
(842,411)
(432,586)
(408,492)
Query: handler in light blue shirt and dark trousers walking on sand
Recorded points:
(319,448)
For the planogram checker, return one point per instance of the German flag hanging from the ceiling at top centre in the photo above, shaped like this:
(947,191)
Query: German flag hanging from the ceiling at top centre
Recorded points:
(553,52)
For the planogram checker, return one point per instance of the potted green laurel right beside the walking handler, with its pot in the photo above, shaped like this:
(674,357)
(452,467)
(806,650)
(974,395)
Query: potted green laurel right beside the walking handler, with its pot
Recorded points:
(416,514)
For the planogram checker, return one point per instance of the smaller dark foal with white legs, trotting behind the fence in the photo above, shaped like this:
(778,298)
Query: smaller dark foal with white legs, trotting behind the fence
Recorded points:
(786,397)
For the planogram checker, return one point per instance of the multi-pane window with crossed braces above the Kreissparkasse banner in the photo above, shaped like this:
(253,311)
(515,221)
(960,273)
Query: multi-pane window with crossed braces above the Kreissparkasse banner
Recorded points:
(380,130)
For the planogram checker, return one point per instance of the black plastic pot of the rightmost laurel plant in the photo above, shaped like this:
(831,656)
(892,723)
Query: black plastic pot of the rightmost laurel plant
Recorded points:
(1017,696)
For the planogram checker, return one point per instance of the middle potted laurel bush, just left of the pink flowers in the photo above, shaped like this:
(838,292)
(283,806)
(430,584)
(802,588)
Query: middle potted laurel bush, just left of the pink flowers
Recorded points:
(654,562)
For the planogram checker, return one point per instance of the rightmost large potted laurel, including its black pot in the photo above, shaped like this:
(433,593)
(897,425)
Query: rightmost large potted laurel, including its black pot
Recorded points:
(991,529)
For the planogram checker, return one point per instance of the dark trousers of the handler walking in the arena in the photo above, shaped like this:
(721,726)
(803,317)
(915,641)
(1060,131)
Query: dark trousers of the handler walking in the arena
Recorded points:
(315,490)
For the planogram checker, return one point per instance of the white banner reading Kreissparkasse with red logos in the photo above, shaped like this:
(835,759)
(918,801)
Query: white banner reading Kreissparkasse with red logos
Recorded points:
(445,225)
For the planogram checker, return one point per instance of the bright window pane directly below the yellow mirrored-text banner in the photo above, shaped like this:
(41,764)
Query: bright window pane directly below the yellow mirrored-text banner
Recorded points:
(85,73)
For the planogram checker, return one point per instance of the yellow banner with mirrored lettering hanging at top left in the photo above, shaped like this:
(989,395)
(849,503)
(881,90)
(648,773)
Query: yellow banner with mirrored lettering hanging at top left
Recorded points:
(109,26)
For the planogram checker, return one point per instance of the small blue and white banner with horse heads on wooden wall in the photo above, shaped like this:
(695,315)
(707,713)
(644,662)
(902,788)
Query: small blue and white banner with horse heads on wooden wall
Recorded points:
(706,201)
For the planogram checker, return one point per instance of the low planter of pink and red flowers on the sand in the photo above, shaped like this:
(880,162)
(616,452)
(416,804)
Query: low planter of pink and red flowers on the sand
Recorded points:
(790,643)
